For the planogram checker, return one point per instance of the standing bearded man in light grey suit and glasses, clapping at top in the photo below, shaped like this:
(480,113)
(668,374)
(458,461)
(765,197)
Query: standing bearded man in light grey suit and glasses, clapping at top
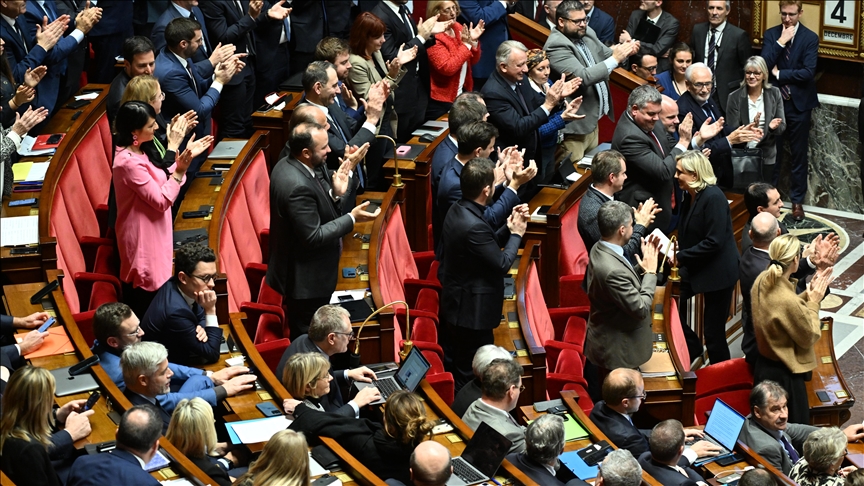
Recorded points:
(573,48)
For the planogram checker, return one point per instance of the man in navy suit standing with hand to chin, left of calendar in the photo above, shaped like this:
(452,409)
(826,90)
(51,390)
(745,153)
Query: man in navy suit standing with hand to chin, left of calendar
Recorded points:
(791,50)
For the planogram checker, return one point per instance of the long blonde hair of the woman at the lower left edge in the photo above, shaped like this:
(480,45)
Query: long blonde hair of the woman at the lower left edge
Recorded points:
(27,403)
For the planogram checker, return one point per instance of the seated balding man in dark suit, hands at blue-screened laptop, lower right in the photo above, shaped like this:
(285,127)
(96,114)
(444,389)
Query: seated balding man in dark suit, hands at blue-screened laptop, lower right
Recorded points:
(623,393)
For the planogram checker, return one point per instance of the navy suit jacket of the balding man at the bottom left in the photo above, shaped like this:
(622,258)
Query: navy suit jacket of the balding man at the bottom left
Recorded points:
(115,467)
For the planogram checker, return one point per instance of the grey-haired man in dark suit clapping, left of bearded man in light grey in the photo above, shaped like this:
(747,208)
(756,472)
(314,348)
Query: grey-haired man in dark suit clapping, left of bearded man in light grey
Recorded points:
(515,108)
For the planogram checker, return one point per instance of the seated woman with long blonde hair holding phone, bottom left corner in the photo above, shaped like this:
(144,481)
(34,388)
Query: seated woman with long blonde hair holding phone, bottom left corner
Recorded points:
(34,447)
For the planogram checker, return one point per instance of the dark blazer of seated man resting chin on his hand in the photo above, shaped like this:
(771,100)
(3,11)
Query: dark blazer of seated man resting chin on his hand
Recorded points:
(171,321)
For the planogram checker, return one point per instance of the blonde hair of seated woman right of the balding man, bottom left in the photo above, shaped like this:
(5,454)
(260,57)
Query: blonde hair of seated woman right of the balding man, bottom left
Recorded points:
(191,429)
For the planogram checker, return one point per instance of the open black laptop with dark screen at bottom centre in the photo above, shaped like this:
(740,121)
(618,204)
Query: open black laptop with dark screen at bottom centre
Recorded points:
(481,457)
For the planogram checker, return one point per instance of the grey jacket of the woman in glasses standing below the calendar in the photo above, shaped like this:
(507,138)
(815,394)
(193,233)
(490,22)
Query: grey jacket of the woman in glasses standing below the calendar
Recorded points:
(738,114)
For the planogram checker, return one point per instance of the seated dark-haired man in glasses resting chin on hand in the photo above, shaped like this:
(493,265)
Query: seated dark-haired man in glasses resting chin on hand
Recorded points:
(182,315)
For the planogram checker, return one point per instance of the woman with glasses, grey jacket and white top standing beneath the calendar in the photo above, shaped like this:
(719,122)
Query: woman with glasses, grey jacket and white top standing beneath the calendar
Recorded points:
(756,100)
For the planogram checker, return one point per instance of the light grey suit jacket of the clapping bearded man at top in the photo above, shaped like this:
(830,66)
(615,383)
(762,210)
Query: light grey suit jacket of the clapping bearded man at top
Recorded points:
(565,57)
